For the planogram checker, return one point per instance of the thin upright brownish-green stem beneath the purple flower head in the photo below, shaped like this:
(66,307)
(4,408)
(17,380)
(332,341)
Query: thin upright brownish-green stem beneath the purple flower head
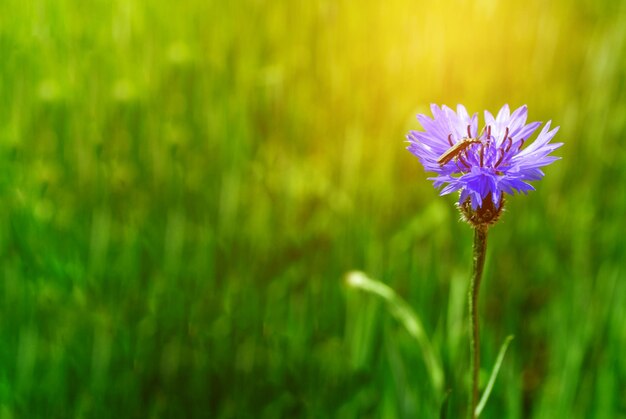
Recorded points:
(480,249)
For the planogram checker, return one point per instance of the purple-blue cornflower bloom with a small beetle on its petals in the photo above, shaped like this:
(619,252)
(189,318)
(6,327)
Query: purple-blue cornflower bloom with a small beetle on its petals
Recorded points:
(483,164)
